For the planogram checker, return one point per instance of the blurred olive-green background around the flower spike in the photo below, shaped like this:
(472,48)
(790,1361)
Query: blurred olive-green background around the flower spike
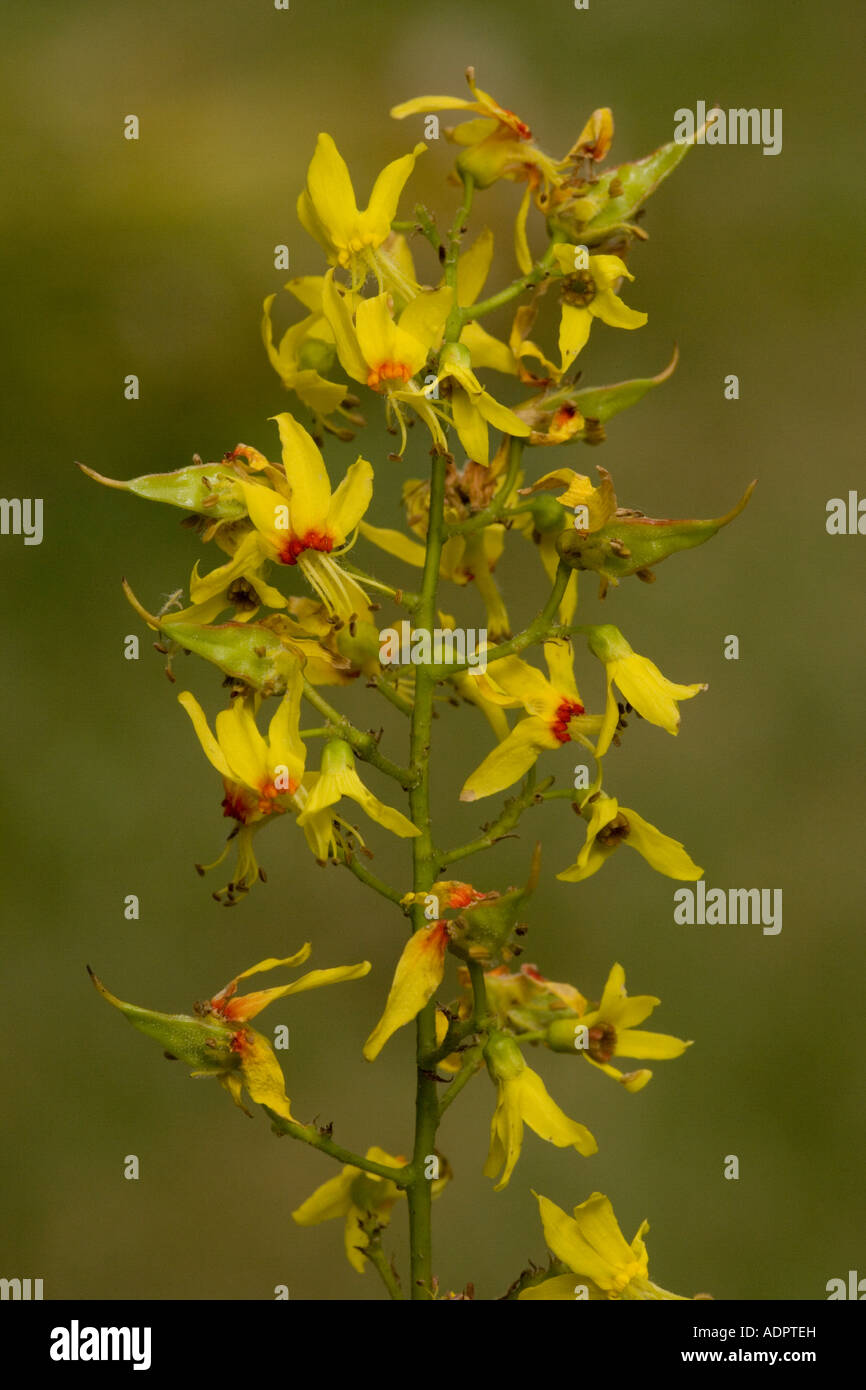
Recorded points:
(154,258)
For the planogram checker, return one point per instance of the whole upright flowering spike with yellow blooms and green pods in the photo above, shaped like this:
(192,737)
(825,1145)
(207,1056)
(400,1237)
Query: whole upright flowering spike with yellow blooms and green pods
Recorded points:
(394,326)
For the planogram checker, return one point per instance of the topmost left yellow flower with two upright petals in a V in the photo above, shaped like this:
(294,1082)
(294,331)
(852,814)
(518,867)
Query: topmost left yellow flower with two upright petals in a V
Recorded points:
(327,209)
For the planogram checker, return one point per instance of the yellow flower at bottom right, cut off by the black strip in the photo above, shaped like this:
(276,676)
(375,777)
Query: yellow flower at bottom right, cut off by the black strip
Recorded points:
(594,1249)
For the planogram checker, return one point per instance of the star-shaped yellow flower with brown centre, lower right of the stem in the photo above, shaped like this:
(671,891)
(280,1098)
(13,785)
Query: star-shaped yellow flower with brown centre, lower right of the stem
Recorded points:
(608,1031)
